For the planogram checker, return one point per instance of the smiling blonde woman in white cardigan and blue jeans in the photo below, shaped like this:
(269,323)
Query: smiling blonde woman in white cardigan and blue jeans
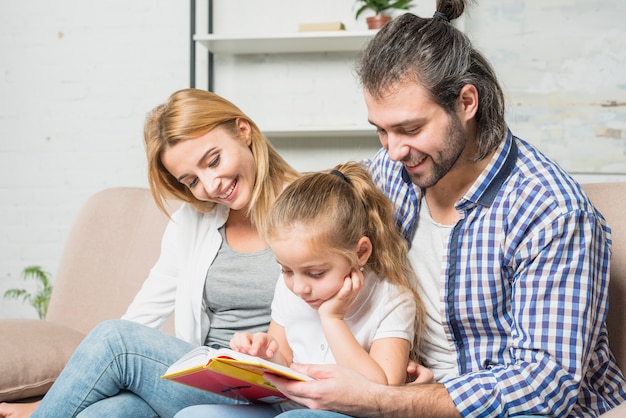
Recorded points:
(204,151)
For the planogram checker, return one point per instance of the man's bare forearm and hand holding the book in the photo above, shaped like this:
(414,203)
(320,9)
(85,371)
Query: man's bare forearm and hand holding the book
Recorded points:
(343,390)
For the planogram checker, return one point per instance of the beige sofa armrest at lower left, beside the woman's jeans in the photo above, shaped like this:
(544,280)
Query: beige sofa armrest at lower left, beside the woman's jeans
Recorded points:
(33,354)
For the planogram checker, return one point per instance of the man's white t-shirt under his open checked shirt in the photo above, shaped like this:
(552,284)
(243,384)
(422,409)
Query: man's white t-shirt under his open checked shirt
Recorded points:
(426,255)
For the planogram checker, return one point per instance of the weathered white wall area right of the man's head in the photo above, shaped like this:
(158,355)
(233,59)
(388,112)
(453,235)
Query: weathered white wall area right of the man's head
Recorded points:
(562,64)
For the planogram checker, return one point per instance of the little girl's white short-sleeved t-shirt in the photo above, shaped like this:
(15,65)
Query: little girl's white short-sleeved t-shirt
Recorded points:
(381,310)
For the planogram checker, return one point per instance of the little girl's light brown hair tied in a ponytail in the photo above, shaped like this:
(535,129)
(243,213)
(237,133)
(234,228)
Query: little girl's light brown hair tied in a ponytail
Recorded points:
(344,205)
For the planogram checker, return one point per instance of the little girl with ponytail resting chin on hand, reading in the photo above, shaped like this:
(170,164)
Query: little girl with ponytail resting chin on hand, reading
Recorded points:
(345,295)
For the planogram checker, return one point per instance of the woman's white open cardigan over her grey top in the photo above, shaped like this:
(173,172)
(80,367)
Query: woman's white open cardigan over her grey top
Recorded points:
(176,282)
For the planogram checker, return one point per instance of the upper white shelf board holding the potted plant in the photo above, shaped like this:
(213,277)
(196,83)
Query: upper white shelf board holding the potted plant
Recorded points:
(300,42)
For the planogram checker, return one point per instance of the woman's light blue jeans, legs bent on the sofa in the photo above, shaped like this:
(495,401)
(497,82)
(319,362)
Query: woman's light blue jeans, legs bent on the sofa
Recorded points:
(115,372)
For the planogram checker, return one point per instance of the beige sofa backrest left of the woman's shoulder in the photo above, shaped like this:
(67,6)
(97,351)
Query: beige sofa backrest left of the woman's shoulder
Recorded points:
(113,242)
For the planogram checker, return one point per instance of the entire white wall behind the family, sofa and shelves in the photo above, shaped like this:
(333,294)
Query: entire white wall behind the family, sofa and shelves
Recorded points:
(78,76)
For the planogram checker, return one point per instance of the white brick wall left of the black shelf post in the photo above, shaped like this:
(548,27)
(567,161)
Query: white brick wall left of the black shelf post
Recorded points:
(76,80)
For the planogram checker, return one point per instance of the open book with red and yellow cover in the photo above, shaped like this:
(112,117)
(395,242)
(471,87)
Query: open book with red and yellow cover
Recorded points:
(229,373)
